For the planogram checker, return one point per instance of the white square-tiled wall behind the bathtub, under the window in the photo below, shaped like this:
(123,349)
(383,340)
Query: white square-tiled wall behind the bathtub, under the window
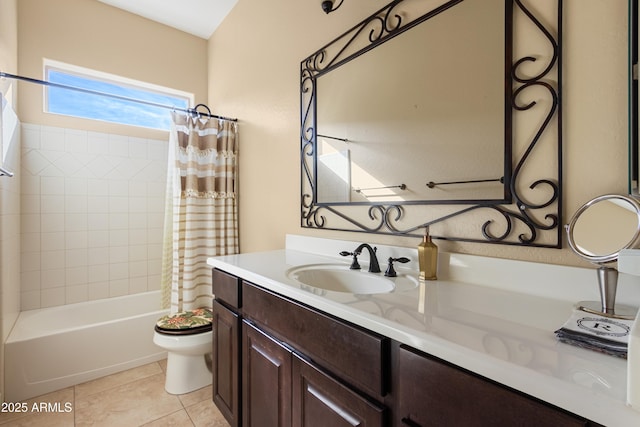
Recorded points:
(92,215)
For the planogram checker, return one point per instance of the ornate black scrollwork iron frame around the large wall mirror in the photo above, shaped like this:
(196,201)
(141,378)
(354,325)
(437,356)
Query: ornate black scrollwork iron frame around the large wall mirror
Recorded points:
(523,222)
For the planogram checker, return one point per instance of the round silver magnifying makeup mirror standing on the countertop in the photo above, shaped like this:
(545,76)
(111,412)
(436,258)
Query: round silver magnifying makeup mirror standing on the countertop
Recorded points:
(597,232)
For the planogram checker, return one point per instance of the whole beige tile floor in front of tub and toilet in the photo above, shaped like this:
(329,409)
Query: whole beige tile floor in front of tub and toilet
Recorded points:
(127,399)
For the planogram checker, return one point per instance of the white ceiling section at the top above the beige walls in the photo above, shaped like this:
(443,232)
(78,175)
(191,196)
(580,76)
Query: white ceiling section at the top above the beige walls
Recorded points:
(197,17)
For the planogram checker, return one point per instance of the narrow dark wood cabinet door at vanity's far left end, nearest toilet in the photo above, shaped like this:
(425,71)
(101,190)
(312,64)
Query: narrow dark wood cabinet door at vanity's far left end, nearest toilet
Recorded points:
(226,363)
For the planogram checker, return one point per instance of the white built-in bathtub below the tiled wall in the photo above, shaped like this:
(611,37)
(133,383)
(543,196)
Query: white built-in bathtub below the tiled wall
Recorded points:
(53,348)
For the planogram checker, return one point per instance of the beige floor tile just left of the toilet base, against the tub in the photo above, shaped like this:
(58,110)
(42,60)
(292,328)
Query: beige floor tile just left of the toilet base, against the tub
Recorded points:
(131,404)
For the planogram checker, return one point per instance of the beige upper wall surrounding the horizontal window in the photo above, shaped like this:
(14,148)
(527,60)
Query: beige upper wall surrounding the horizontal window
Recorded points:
(94,35)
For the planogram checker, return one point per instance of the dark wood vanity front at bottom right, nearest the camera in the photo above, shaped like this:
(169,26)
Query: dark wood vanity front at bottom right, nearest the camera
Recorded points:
(433,393)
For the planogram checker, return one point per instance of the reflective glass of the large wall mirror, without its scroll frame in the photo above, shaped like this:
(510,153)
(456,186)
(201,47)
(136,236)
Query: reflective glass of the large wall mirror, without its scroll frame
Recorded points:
(390,143)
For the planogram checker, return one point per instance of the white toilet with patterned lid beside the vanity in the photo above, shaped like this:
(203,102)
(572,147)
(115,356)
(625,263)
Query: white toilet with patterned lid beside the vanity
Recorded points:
(187,337)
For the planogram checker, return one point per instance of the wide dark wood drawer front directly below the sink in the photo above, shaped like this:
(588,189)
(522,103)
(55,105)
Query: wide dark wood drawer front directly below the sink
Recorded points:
(353,354)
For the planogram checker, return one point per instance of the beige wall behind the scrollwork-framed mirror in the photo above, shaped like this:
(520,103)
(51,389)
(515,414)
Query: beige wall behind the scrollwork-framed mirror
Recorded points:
(254,62)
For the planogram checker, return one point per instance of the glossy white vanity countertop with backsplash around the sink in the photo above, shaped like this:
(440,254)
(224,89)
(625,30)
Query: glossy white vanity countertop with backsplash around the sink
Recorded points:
(493,317)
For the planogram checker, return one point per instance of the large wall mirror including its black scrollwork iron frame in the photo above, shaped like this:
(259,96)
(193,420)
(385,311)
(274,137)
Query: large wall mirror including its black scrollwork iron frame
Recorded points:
(407,120)
